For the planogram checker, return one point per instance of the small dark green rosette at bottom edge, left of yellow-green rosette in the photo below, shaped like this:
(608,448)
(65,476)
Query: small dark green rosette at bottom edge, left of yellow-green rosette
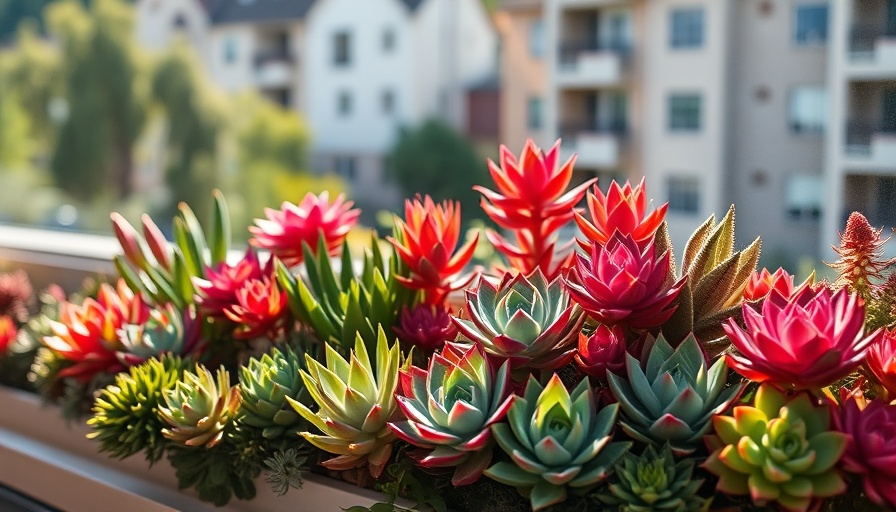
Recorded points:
(654,482)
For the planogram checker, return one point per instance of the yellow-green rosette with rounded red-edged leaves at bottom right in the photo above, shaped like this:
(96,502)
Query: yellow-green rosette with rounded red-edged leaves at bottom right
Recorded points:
(780,450)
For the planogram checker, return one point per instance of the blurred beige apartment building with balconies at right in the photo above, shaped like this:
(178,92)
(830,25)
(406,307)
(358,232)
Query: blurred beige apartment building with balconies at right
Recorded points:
(778,106)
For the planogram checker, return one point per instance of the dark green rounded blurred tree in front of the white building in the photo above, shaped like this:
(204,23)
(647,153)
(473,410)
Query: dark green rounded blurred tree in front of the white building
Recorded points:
(436,160)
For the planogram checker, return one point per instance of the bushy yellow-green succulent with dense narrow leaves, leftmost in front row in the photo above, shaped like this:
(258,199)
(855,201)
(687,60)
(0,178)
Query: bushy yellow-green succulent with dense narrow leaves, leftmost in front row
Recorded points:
(124,419)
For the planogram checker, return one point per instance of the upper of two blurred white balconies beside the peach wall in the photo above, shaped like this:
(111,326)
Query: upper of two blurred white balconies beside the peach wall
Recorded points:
(591,64)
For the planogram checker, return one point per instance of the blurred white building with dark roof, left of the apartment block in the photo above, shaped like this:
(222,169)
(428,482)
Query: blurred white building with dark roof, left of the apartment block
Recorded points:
(358,71)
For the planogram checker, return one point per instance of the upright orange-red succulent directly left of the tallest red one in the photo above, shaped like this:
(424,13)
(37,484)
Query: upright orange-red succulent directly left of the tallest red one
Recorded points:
(426,240)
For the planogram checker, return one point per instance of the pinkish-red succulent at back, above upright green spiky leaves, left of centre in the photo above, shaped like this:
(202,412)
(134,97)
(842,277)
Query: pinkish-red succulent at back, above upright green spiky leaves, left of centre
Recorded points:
(285,230)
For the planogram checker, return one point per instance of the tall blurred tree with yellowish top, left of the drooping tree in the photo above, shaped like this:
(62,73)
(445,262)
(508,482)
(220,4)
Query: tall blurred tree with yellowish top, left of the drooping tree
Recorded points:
(106,100)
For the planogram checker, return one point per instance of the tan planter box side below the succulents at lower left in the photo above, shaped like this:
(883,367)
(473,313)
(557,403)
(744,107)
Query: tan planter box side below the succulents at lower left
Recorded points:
(43,457)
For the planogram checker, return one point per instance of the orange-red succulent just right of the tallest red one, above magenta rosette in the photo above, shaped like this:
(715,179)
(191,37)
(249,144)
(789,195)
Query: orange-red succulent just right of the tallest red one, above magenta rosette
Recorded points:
(623,209)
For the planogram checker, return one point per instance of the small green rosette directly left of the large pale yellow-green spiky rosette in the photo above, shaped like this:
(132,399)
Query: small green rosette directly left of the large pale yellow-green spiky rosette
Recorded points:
(265,385)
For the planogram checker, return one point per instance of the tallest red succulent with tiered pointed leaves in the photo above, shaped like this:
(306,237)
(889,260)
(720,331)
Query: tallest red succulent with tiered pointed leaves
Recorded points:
(533,203)
